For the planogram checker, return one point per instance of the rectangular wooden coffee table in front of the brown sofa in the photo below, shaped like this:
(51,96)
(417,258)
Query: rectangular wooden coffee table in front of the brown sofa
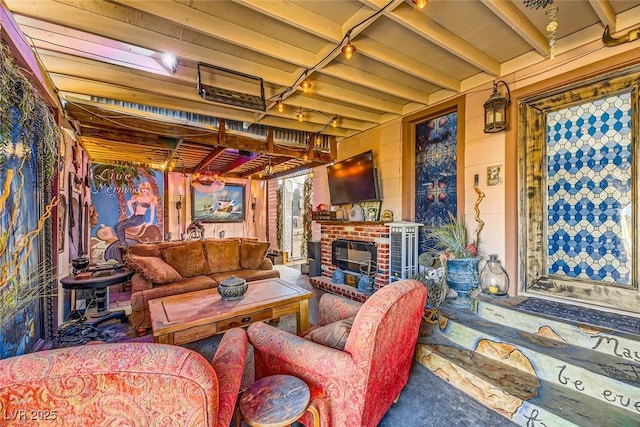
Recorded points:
(179,319)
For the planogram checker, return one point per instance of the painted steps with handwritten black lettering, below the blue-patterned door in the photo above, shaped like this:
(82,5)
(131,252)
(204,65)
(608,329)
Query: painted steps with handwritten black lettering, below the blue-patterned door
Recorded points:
(527,367)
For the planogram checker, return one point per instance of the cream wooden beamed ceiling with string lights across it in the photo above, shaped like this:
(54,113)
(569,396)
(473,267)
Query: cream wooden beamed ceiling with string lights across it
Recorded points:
(407,59)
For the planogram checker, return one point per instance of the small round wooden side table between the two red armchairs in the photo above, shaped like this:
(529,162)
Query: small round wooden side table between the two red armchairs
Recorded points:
(276,401)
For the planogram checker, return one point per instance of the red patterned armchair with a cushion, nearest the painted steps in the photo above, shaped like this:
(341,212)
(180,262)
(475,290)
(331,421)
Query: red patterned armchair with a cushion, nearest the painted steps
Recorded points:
(360,382)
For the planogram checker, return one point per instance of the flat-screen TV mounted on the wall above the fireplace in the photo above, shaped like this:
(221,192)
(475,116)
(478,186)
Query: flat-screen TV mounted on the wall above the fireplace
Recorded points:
(354,180)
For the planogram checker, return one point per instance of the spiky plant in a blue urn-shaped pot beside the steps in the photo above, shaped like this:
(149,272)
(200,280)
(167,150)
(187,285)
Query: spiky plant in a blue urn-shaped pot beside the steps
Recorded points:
(459,258)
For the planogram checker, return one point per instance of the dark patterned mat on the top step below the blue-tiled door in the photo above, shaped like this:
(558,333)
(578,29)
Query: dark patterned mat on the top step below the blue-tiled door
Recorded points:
(603,319)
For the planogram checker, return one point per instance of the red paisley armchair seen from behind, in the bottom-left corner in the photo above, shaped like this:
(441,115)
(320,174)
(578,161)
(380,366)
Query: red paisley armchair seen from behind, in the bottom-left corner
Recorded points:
(133,384)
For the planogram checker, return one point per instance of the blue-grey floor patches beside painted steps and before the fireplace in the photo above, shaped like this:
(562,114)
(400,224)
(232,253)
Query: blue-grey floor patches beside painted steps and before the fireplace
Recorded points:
(427,400)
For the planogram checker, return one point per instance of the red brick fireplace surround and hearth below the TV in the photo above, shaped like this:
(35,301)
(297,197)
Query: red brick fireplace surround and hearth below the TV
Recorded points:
(375,232)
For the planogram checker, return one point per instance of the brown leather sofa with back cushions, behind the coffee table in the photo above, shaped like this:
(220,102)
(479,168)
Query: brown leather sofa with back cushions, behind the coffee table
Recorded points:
(170,268)
